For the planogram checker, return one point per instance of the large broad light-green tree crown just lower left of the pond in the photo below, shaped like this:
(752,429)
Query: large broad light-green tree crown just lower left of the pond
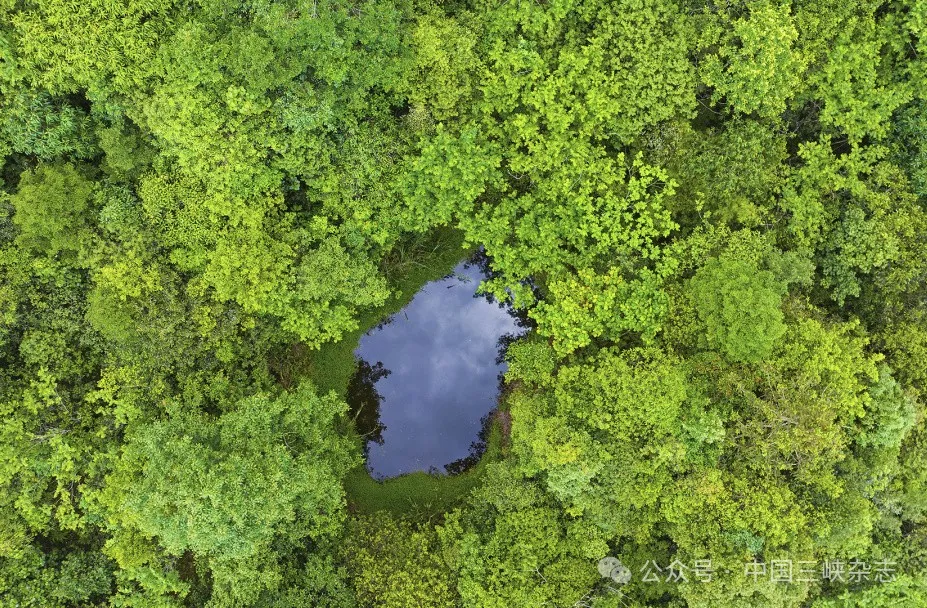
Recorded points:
(226,488)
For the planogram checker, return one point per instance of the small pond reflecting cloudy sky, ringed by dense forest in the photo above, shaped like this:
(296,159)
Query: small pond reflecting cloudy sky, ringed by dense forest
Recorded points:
(428,377)
